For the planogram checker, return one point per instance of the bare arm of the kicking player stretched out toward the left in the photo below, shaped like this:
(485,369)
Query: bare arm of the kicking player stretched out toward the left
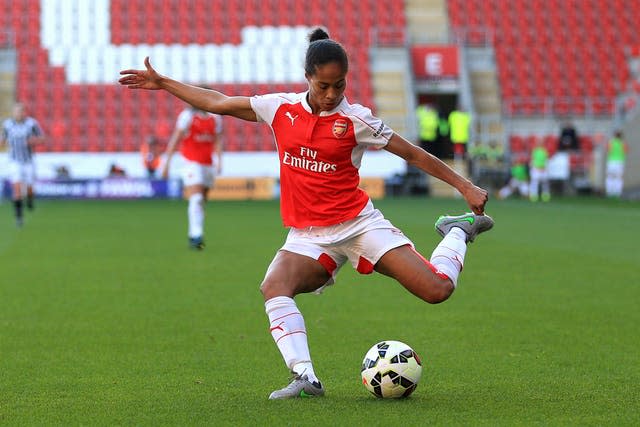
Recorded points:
(203,99)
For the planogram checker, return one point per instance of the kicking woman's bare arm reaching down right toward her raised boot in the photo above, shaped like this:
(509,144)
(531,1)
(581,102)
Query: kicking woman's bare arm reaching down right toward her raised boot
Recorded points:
(475,196)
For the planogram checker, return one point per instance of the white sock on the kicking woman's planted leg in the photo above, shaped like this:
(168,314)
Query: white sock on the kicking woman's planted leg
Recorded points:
(288,331)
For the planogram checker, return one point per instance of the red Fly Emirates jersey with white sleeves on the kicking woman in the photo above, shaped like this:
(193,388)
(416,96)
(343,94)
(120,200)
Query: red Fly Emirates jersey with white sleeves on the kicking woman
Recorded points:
(319,156)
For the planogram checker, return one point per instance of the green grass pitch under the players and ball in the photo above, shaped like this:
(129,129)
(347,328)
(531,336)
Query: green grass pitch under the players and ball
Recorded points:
(106,318)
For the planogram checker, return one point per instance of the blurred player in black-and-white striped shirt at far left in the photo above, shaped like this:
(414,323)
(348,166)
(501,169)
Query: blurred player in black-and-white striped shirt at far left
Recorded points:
(21,133)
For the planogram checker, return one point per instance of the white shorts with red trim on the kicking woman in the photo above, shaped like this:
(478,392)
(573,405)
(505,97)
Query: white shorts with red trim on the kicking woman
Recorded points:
(362,240)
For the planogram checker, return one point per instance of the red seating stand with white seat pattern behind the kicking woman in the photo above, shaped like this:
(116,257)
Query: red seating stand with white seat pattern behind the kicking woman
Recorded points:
(70,52)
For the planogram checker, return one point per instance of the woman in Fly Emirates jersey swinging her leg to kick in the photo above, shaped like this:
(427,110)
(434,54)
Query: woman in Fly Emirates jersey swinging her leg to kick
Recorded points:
(321,139)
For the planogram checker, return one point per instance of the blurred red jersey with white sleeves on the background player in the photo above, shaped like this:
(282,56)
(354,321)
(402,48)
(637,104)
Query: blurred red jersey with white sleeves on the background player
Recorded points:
(202,131)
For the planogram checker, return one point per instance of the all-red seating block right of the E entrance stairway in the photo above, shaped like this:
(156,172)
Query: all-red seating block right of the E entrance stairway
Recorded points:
(571,52)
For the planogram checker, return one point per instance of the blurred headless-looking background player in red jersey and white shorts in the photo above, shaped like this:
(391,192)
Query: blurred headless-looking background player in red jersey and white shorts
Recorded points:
(200,136)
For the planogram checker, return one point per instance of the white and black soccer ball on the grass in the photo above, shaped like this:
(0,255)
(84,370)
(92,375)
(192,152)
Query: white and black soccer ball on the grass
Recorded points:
(391,369)
